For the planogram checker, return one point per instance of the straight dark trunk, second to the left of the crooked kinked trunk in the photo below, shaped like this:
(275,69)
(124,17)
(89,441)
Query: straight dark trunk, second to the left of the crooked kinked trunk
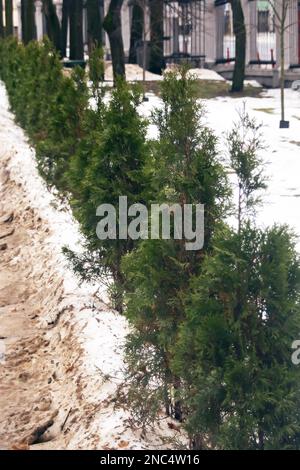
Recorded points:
(76,30)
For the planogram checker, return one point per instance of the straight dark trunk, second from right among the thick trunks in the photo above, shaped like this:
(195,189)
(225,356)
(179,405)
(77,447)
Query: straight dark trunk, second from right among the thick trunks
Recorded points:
(156,60)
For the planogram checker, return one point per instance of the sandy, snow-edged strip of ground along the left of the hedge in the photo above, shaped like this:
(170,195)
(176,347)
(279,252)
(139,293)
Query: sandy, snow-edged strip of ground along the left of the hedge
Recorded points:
(63,348)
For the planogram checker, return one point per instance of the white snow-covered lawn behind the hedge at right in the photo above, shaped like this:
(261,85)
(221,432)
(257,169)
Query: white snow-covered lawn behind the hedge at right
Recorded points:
(281,156)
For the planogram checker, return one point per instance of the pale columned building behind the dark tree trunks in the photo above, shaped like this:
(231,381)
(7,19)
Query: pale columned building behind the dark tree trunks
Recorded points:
(201,32)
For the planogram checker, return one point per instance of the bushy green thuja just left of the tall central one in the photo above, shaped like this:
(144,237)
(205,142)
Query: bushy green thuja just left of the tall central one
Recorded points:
(110,162)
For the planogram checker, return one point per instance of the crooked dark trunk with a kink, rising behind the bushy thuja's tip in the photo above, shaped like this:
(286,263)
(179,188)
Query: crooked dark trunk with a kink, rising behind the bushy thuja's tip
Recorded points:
(113,27)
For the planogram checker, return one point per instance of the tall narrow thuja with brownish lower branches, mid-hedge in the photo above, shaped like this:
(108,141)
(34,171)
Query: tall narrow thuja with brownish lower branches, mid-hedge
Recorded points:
(186,169)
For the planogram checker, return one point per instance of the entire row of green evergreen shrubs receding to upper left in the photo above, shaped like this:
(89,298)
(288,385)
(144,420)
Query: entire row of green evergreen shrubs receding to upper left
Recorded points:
(211,330)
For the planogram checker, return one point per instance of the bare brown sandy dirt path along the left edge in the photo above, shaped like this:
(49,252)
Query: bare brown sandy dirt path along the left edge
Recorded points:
(29,367)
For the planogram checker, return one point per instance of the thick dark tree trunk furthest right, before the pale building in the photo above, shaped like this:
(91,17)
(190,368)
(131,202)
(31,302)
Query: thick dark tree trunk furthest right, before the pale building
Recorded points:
(240,45)
